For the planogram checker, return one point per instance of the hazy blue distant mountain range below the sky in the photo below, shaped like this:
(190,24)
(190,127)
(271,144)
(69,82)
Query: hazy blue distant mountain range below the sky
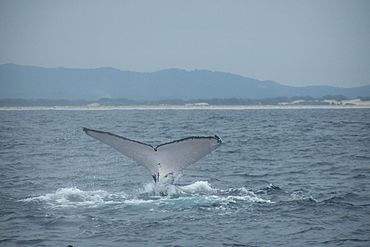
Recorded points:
(30,82)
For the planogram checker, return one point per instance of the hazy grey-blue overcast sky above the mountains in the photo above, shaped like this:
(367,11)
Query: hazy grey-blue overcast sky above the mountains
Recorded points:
(294,42)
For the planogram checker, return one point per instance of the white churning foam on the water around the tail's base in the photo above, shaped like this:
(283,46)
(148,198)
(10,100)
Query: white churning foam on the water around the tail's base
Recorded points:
(198,193)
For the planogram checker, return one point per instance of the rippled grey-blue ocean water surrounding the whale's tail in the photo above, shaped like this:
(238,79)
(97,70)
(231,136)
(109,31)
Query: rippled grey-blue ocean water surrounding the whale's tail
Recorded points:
(282,177)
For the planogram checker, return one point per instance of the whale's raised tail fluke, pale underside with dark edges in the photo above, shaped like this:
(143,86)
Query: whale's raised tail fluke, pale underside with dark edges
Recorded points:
(165,159)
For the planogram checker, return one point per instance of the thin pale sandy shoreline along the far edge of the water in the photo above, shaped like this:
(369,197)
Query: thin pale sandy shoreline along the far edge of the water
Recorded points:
(179,107)
